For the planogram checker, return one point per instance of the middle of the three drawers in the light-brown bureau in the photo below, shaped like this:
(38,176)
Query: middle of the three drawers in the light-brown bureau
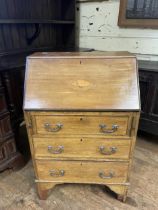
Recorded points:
(81,148)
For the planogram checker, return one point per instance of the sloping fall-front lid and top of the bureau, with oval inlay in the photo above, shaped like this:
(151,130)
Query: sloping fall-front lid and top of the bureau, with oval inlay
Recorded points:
(81,81)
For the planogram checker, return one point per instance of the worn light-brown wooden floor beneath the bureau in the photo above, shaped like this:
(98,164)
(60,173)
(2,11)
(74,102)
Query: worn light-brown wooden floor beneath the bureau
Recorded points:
(17,189)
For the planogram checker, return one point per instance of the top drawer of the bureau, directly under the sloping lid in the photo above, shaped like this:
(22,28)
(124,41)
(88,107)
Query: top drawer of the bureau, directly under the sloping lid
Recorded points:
(100,124)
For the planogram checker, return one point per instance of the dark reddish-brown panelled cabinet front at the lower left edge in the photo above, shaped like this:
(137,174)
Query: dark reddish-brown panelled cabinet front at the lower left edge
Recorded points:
(9,156)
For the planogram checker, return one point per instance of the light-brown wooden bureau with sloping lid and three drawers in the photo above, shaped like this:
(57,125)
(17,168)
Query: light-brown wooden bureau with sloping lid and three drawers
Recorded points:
(82,114)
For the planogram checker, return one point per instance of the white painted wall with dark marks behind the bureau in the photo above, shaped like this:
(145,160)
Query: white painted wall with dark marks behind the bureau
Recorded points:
(104,34)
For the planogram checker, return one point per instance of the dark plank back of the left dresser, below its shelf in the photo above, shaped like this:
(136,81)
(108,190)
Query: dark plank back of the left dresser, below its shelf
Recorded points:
(15,37)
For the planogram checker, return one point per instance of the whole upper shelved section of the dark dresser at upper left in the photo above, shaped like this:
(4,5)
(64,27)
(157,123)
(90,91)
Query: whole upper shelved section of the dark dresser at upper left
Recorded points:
(43,25)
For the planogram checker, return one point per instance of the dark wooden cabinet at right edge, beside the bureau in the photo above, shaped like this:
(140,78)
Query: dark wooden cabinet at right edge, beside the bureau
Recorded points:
(148,75)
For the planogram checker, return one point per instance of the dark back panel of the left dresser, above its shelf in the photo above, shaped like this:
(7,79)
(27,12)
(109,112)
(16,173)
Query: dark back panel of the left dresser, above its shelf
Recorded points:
(33,9)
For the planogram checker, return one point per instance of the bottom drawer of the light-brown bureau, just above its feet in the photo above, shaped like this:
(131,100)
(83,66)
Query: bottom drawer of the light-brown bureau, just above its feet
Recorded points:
(82,171)
